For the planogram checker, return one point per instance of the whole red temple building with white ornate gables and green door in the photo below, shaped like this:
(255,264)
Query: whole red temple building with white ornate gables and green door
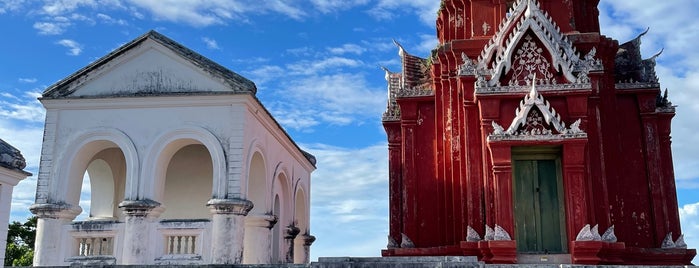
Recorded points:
(527,135)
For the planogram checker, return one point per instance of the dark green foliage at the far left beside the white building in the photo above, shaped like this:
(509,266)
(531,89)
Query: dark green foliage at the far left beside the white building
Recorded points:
(20,243)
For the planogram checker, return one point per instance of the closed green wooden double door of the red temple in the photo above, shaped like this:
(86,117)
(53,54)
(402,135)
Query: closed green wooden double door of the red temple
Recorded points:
(538,207)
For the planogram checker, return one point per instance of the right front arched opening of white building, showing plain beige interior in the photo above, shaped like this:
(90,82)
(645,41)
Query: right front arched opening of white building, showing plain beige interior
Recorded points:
(188,183)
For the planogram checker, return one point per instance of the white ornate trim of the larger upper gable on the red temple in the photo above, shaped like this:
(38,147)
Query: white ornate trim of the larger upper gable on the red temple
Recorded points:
(527,15)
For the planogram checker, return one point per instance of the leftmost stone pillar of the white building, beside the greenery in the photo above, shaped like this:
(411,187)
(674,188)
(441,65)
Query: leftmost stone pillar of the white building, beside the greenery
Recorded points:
(48,248)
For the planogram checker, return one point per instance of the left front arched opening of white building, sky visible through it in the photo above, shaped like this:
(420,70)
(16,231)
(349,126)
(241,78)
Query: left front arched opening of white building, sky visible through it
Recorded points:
(103,183)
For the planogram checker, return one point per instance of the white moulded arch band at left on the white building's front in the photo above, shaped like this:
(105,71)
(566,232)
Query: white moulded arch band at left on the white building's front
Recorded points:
(78,154)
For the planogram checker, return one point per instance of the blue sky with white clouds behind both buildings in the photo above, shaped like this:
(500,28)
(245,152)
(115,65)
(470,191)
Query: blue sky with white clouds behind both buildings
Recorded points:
(316,65)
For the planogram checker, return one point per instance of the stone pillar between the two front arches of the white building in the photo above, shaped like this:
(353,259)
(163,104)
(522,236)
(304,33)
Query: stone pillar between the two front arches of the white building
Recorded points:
(137,245)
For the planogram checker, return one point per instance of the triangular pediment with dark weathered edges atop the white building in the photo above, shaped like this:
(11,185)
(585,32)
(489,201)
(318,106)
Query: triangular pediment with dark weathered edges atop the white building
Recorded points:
(150,65)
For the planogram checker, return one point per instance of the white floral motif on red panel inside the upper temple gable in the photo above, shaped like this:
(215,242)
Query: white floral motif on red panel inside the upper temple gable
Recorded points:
(529,61)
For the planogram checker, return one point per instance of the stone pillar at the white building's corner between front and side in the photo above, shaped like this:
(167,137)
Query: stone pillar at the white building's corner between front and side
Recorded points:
(228,229)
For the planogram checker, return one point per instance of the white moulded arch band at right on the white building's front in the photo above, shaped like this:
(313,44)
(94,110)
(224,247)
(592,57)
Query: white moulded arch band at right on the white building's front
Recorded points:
(165,146)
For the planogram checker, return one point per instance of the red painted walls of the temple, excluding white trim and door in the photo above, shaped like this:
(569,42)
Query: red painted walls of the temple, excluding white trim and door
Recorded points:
(445,174)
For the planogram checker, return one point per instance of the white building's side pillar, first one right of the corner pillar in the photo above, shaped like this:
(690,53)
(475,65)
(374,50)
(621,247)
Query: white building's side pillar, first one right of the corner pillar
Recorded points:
(258,241)
